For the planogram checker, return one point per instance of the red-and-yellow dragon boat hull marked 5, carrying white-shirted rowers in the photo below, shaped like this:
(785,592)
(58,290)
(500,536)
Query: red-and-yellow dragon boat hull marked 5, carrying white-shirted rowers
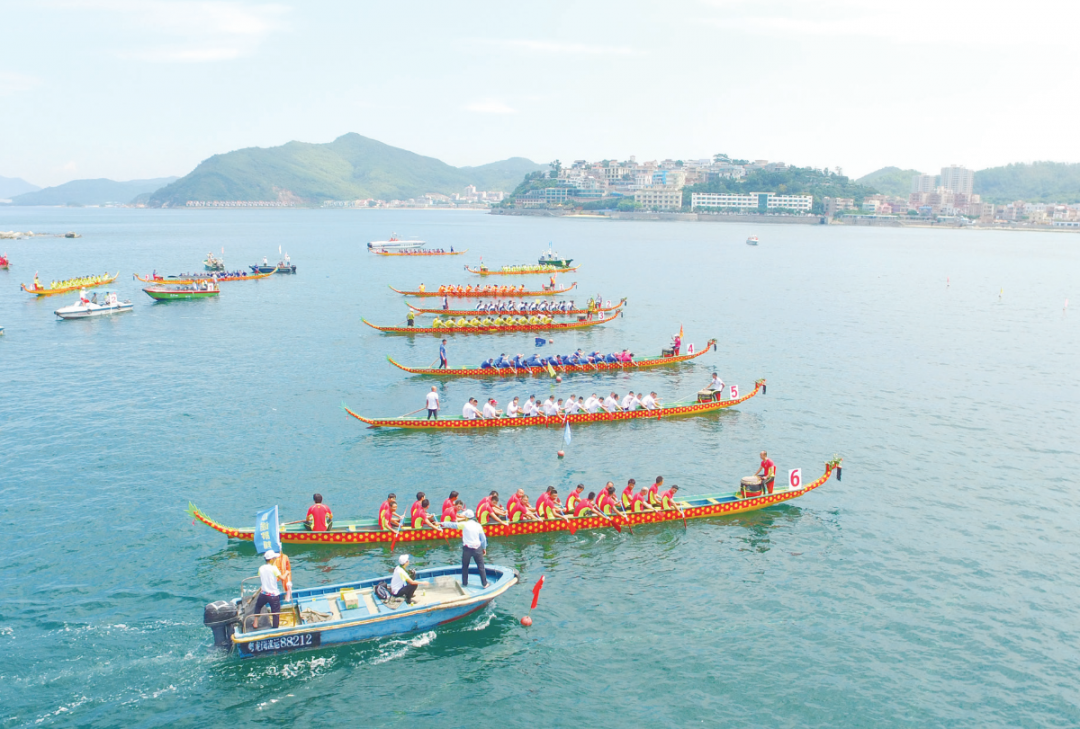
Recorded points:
(707,402)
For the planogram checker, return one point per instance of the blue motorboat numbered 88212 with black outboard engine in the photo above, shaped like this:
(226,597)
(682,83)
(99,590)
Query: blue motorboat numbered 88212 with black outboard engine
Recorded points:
(350,612)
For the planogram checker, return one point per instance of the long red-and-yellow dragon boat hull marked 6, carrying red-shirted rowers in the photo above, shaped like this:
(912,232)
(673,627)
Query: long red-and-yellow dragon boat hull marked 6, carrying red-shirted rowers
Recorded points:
(368,532)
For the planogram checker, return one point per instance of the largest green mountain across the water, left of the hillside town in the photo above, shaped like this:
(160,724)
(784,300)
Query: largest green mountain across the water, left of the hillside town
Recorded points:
(350,168)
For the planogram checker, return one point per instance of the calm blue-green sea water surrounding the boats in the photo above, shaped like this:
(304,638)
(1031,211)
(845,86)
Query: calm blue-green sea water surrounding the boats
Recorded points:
(936,586)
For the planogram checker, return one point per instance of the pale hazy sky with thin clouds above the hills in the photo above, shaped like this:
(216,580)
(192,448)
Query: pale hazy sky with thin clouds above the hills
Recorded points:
(140,89)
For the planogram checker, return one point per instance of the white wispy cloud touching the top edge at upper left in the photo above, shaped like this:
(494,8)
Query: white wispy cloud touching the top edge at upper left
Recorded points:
(191,31)
